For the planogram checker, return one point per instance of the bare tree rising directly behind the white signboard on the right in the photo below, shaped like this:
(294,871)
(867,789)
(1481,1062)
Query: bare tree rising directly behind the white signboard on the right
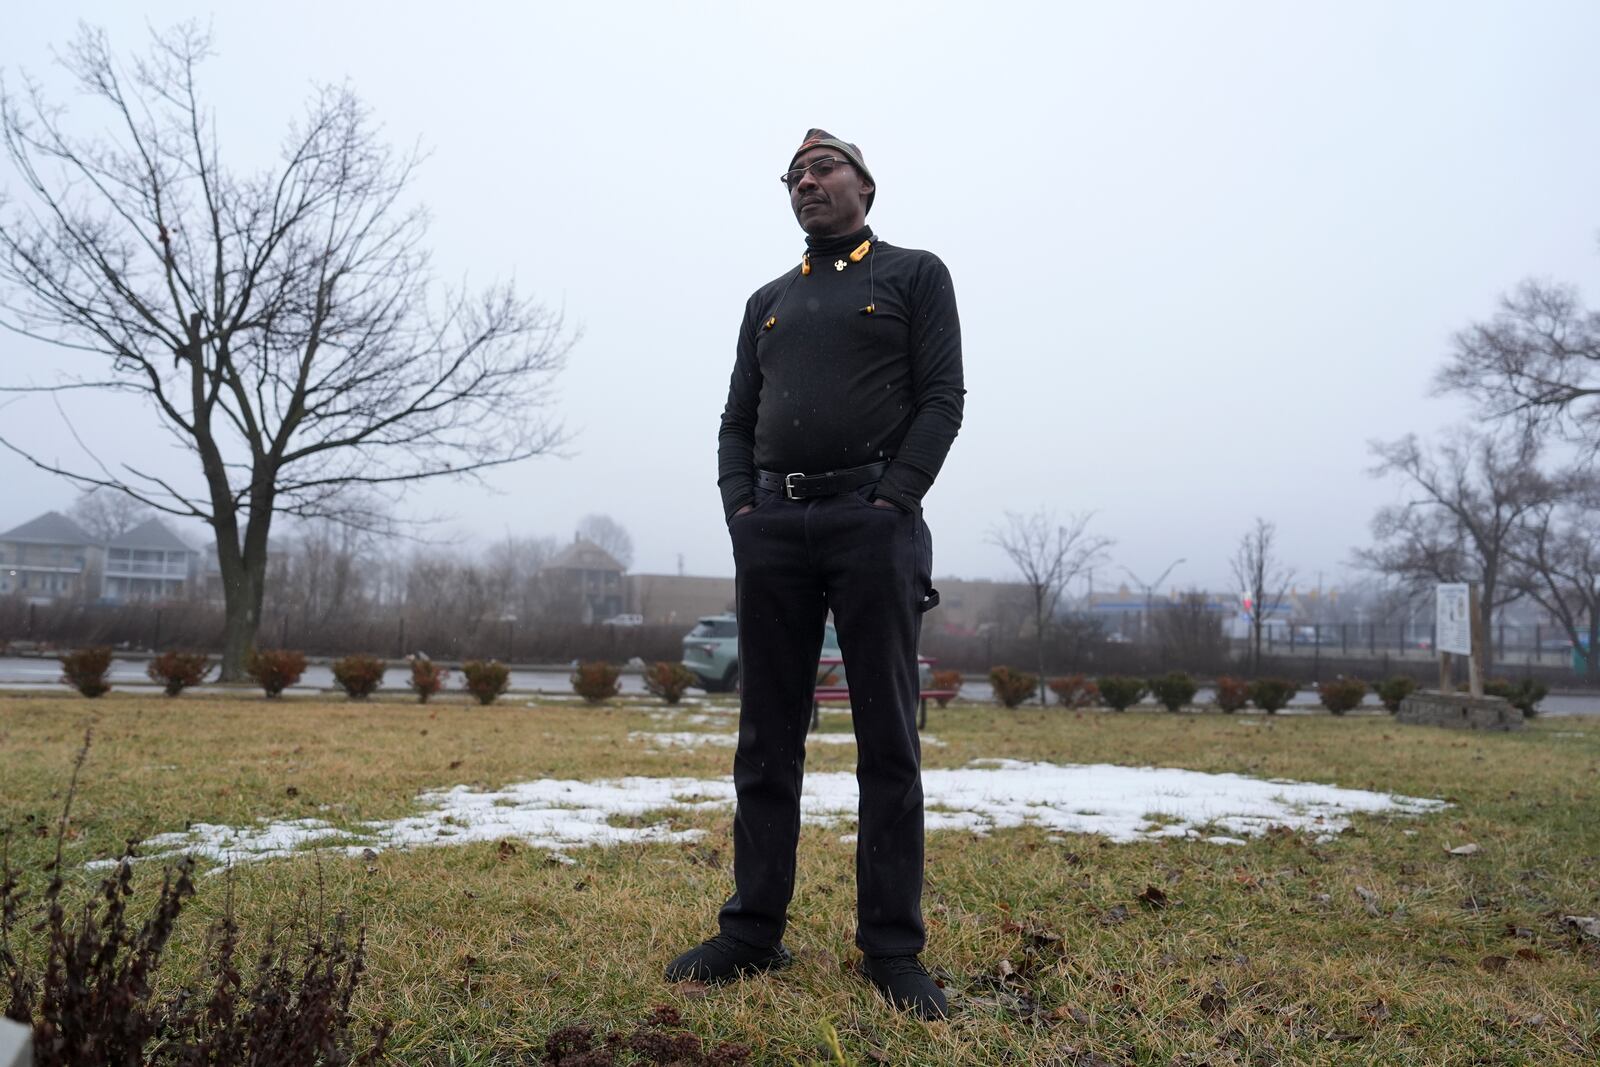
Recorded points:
(1468,503)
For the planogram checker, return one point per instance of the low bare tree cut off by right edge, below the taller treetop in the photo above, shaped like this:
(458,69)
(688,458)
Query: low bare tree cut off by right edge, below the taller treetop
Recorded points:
(1559,551)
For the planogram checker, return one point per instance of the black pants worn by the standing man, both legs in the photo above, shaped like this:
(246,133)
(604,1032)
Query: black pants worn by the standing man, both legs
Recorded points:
(871,567)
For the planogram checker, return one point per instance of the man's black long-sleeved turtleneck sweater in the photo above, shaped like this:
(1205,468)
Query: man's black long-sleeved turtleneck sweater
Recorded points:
(828,386)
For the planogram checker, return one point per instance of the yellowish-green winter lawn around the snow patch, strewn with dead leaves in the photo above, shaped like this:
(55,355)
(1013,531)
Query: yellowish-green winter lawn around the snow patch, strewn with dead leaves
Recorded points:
(1374,948)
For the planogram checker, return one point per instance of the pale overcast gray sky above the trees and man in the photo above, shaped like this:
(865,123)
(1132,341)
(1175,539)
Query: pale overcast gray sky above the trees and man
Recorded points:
(1204,252)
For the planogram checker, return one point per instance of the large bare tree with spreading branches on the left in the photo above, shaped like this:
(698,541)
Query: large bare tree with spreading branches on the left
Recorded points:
(284,326)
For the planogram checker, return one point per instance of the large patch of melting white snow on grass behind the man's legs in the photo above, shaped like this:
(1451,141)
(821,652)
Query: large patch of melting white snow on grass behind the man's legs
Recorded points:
(1118,802)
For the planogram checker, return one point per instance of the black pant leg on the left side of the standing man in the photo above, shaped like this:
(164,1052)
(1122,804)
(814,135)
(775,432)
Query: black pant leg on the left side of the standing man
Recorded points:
(782,615)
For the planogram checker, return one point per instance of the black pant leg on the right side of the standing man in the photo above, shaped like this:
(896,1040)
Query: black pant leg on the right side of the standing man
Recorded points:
(878,565)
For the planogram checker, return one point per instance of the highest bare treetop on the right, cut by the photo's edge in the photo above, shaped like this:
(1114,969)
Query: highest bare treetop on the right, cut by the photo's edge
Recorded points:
(1537,361)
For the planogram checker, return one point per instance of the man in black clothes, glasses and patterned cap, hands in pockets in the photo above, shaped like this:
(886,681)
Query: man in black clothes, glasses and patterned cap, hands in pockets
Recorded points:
(846,398)
